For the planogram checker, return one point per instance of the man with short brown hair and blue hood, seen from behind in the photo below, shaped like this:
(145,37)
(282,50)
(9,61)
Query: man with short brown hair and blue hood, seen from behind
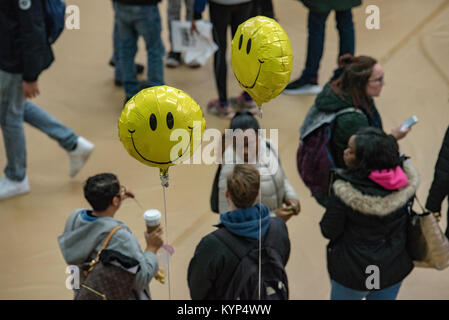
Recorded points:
(214,265)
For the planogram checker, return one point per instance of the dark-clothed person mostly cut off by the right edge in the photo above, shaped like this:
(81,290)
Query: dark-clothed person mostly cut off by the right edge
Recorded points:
(440,184)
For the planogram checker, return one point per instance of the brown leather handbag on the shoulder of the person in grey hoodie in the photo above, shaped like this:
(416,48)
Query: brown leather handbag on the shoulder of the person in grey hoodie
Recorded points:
(105,281)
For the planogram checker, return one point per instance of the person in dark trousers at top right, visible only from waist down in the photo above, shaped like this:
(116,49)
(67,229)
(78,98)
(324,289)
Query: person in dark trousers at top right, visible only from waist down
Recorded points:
(319,10)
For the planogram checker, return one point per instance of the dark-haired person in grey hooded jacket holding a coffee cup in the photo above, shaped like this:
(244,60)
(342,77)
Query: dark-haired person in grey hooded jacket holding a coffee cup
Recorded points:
(86,229)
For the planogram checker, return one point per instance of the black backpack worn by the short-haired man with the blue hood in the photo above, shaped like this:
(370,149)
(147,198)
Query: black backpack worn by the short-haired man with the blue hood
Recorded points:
(244,284)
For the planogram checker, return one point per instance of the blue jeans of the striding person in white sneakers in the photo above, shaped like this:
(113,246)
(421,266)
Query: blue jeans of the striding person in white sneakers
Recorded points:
(14,110)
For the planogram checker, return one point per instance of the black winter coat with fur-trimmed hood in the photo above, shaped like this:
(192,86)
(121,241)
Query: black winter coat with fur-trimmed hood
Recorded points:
(367,225)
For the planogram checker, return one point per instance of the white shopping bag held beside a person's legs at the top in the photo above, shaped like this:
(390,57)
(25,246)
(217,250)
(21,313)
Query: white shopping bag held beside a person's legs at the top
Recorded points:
(198,47)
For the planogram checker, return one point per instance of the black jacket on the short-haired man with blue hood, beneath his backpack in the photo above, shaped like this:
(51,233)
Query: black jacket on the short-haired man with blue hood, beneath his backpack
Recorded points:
(213,264)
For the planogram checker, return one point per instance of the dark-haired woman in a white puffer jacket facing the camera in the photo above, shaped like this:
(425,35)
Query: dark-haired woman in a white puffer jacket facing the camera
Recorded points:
(276,191)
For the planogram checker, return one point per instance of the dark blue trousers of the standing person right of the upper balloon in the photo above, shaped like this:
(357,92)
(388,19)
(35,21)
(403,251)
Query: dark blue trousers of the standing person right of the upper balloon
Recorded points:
(315,43)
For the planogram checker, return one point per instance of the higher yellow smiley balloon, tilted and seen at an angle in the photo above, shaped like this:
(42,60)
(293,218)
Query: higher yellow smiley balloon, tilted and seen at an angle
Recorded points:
(262,58)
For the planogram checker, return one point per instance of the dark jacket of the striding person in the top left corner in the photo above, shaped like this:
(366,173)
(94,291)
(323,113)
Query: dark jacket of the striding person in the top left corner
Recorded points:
(24,46)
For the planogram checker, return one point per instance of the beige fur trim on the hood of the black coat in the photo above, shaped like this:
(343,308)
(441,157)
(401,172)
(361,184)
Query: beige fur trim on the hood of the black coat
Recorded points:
(378,205)
